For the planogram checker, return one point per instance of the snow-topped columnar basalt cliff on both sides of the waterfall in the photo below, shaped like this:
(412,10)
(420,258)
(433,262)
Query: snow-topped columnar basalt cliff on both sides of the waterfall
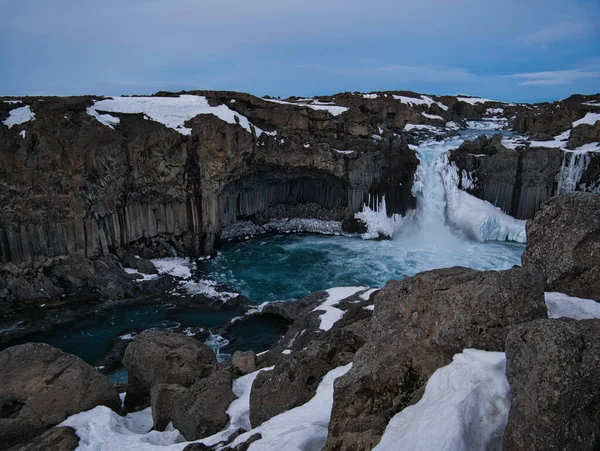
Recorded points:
(83,177)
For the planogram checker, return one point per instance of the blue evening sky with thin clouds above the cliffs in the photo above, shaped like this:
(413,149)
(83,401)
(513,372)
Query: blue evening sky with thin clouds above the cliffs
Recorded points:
(513,50)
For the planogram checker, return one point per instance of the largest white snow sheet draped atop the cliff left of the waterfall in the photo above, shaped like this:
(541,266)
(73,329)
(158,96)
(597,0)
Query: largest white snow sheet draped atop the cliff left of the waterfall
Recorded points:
(170,111)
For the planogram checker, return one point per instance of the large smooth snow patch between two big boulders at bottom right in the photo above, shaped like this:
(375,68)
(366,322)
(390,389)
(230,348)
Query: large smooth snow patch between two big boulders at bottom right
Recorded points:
(464,408)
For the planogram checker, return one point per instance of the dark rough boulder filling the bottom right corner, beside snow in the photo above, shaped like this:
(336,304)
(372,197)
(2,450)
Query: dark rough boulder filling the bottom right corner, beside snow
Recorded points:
(554,374)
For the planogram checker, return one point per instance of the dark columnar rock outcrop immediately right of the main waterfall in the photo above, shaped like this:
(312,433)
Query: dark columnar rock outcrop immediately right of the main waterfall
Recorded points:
(517,181)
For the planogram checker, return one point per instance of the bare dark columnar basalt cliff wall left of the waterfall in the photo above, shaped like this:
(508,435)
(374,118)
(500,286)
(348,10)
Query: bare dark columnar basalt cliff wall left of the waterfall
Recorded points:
(79,189)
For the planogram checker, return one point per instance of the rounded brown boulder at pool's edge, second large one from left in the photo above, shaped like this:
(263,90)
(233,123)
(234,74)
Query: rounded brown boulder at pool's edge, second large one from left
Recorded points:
(155,357)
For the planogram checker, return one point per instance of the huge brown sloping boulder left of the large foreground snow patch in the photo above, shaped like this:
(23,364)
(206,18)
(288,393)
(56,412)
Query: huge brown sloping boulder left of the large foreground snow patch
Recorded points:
(418,325)
